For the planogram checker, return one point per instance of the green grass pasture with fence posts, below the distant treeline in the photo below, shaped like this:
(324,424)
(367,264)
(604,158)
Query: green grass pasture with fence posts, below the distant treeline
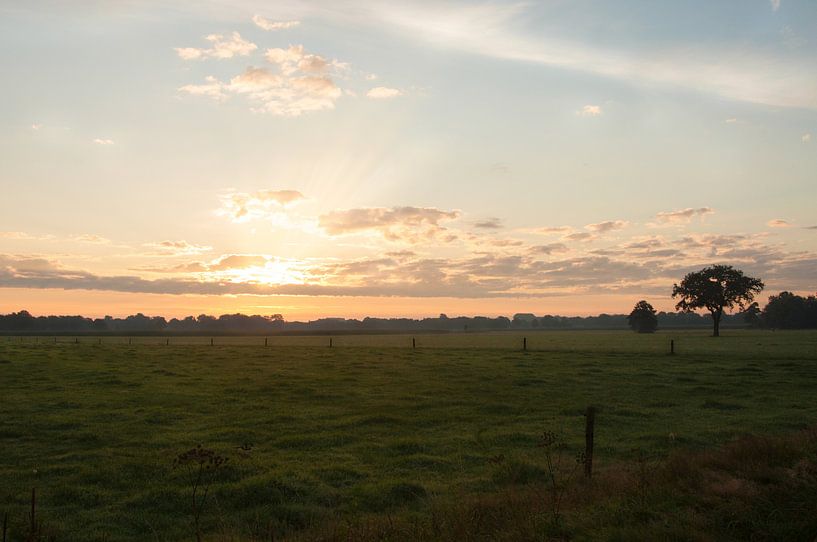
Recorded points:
(369,428)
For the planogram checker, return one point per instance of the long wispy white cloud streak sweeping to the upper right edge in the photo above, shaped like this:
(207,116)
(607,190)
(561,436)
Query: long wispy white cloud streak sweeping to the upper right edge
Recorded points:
(499,30)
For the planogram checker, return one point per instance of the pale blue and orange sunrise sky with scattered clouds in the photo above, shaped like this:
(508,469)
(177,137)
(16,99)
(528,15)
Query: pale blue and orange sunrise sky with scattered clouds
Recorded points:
(351,158)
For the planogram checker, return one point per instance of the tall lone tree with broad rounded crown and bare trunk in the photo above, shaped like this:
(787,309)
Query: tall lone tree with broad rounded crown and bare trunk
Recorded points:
(716,288)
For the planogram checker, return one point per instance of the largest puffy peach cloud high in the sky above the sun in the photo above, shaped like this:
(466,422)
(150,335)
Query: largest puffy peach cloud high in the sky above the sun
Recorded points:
(299,82)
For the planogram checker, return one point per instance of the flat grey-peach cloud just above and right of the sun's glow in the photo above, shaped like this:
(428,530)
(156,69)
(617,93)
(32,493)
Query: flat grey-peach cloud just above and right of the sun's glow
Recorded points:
(408,224)
